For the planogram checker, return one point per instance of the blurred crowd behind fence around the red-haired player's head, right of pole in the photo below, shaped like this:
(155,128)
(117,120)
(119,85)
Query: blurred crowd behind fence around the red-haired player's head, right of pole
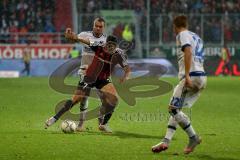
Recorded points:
(209,18)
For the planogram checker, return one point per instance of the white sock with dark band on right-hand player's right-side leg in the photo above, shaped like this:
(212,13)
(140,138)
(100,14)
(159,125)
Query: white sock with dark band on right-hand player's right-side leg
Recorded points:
(185,124)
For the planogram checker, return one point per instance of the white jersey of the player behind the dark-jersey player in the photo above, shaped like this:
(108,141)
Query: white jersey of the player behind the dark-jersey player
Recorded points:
(87,52)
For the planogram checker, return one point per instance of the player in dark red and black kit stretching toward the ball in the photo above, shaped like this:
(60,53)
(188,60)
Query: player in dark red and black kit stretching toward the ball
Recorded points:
(97,75)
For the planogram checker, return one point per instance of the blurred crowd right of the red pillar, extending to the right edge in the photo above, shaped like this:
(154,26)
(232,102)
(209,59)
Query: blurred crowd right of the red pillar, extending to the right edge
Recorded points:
(208,18)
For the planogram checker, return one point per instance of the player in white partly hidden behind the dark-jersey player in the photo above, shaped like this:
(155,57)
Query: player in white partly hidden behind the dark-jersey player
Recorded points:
(97,36)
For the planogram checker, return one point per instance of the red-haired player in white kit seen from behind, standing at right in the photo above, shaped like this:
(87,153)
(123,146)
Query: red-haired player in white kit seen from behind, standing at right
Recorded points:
(192,81)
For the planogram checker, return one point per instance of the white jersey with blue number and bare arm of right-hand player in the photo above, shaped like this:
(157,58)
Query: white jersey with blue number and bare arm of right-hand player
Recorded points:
(188,38)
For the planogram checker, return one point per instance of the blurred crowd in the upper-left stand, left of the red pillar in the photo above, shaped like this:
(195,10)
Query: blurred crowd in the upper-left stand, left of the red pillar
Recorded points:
(26,16)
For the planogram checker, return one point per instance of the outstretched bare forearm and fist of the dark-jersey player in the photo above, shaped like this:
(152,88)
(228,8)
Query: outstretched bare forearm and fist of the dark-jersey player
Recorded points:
(72,37)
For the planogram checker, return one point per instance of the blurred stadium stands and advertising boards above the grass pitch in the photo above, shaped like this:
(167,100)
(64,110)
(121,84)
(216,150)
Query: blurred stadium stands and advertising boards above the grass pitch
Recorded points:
(43,22)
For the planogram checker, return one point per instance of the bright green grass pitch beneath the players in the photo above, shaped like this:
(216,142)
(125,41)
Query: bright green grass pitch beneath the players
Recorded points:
(27,102)
